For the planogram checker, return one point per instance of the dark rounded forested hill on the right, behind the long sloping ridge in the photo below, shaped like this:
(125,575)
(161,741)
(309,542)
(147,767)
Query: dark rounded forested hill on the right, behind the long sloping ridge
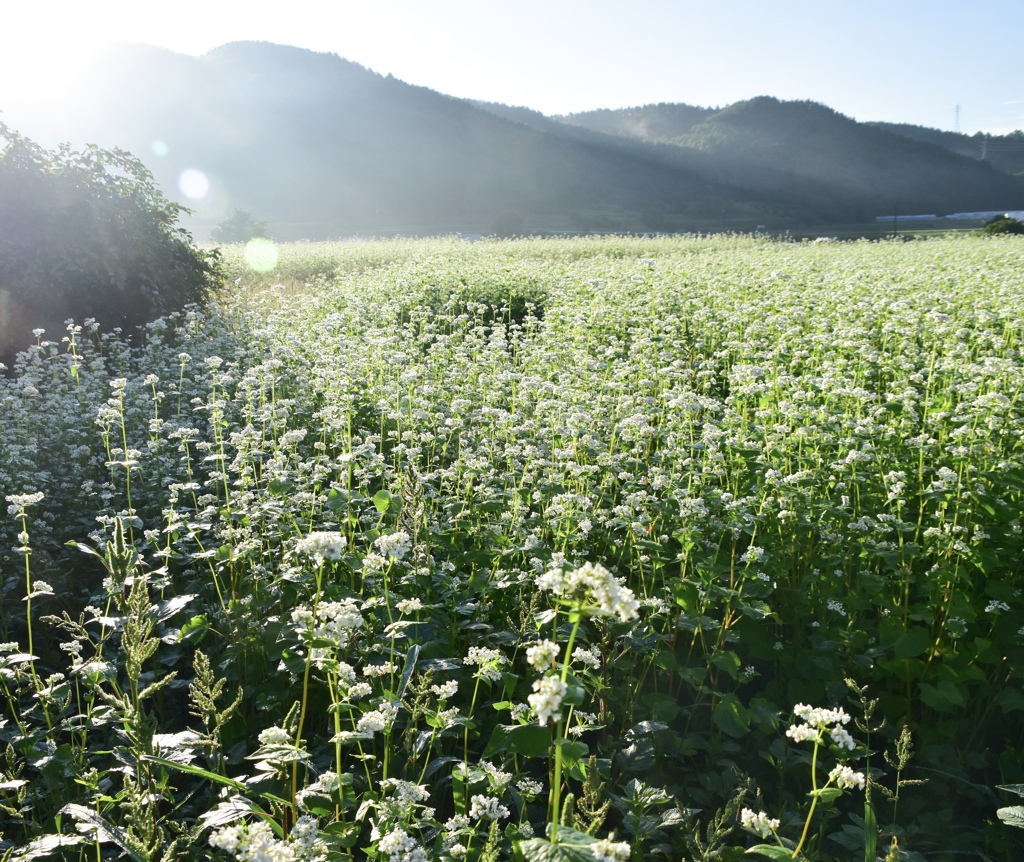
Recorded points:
(803,154)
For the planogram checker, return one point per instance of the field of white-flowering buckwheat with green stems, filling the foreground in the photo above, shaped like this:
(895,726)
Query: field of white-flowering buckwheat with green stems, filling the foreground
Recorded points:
(581,550)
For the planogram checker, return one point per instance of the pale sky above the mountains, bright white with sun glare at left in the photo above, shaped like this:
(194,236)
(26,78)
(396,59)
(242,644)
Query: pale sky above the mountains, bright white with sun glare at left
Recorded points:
(900,61)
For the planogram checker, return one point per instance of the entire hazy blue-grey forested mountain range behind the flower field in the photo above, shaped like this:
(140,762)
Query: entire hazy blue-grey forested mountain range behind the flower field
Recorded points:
(321,148)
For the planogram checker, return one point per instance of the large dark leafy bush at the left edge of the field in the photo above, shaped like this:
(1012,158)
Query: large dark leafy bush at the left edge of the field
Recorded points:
(88,234)
